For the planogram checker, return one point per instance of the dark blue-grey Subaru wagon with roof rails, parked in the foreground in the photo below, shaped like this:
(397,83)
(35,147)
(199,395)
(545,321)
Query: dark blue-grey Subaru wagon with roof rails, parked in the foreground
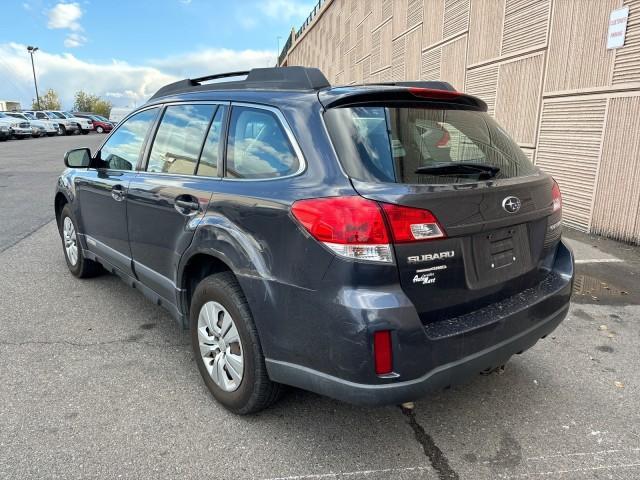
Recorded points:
(307,235)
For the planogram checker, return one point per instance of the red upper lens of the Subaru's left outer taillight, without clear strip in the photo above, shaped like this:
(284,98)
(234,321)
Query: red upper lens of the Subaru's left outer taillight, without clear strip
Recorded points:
(342,220)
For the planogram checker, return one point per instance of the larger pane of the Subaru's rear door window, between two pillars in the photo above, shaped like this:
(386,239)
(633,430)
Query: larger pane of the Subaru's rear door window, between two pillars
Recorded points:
(179,138)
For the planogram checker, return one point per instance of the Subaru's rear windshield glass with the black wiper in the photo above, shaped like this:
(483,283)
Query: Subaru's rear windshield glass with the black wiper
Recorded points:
(423,145)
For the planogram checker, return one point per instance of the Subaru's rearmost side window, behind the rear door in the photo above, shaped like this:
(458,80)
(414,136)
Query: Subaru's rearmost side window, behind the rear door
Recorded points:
(258,145)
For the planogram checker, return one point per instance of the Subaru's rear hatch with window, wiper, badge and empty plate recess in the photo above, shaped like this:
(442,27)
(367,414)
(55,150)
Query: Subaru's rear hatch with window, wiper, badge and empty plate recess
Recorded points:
(496,223)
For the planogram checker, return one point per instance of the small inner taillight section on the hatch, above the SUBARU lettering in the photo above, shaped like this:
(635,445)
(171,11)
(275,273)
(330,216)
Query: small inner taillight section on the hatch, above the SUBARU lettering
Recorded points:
(412,224)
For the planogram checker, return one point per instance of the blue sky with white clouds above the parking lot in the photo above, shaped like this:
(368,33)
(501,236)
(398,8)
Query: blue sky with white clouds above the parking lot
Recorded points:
(124,50)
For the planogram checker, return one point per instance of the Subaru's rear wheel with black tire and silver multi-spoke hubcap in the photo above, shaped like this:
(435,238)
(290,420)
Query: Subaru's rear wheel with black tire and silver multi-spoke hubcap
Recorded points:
(254,391)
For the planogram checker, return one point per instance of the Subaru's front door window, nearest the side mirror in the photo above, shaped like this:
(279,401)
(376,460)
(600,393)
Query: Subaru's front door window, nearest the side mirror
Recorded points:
(122,150)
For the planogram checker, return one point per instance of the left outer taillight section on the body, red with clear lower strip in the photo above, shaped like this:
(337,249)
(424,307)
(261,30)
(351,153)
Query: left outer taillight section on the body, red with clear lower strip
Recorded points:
(352,227)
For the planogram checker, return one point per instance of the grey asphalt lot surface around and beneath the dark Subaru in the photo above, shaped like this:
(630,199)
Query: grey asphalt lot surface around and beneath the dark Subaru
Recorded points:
(97,382)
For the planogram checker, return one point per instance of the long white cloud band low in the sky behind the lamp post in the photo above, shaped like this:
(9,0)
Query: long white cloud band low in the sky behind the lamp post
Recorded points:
(122,83)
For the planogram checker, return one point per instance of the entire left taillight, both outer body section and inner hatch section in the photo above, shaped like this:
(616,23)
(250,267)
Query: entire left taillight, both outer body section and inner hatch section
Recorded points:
(355,227)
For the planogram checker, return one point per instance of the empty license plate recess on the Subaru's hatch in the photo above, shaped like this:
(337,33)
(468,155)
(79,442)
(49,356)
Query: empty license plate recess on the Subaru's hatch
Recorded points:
(500,255)
